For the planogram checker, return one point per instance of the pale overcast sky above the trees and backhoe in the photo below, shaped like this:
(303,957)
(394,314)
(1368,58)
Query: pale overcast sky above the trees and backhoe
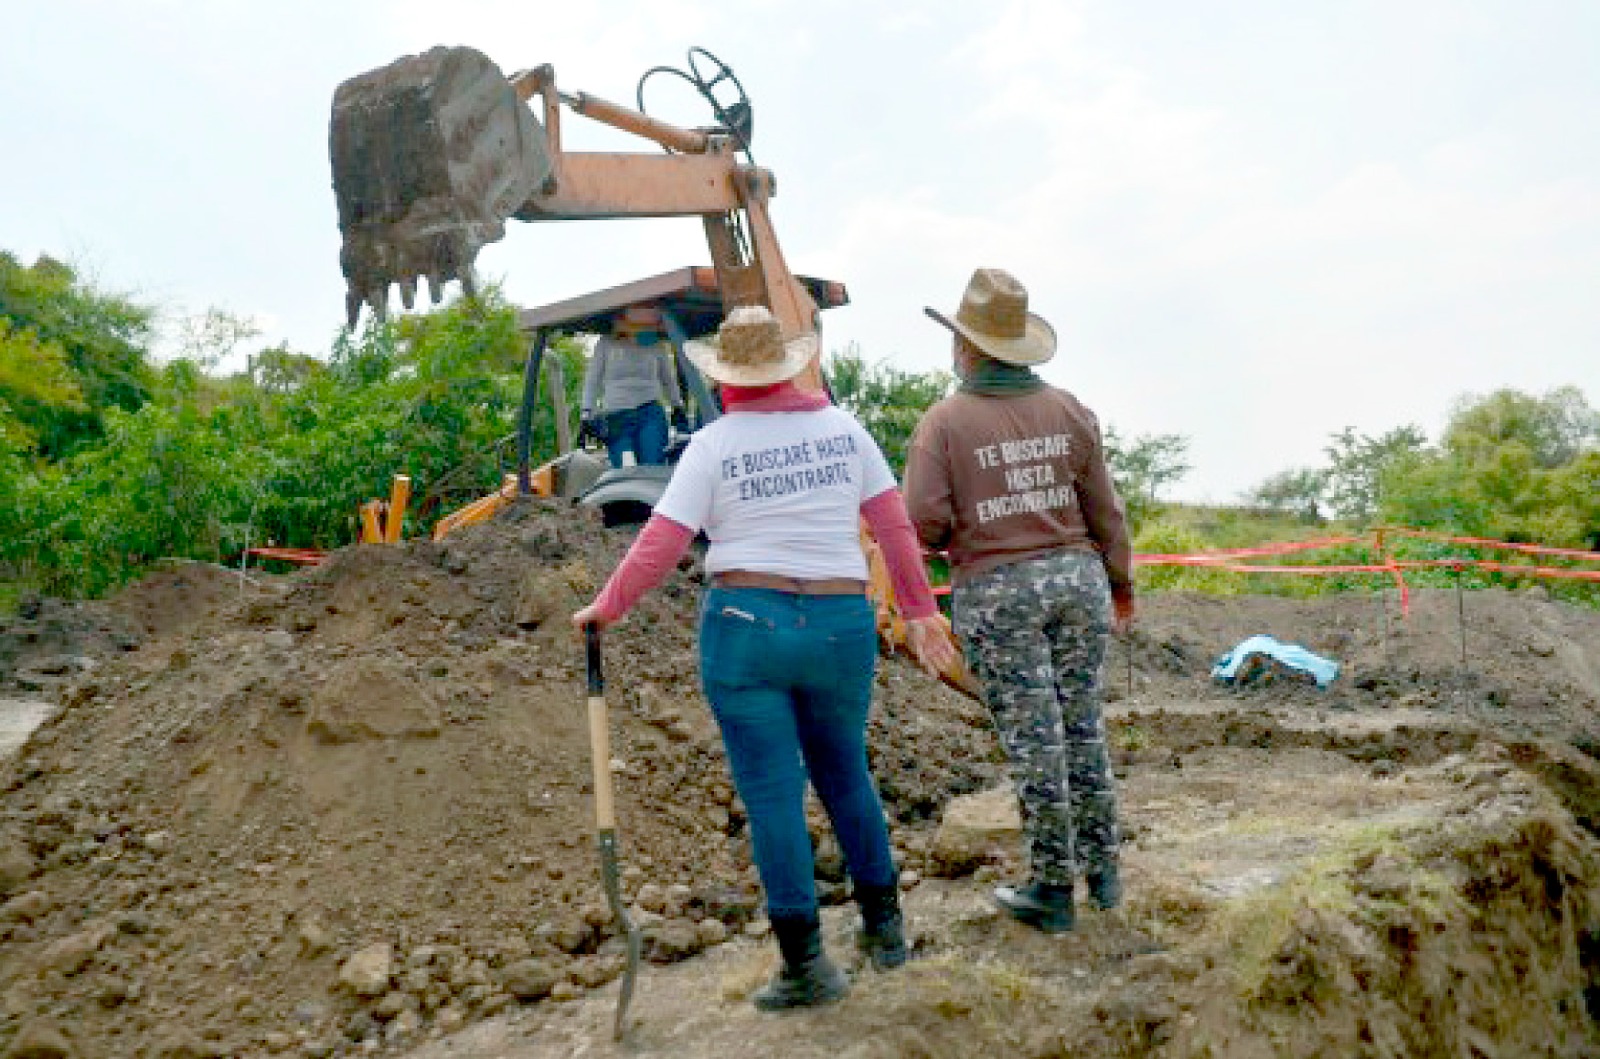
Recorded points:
(1252,223)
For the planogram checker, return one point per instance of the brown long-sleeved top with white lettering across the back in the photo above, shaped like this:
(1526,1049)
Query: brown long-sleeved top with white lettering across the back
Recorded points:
(1004,479)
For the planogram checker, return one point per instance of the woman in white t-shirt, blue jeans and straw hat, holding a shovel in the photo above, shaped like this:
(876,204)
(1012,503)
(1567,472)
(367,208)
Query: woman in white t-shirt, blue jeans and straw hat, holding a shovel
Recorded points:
(788,644)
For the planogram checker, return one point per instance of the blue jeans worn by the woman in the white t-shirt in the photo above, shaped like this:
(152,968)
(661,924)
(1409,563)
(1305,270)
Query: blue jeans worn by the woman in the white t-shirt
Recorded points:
(790,679)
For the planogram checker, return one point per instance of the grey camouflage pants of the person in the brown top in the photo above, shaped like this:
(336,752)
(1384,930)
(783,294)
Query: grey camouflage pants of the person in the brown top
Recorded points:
(1036,639)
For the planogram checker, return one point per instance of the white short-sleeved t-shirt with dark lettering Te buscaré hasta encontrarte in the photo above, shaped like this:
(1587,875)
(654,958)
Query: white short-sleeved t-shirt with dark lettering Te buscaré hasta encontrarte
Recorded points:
(780,494)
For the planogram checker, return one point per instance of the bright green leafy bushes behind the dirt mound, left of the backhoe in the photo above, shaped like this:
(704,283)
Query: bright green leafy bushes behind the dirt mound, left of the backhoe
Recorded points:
(207,466)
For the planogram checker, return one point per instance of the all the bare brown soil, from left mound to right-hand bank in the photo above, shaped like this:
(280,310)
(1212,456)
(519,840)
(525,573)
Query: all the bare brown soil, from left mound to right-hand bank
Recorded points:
(386,759)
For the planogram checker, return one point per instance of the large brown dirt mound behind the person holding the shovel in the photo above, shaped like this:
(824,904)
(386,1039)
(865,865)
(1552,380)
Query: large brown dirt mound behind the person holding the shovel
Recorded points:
(391,753)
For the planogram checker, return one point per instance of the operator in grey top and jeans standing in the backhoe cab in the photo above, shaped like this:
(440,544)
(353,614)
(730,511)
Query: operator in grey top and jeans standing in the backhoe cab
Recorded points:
(630,377)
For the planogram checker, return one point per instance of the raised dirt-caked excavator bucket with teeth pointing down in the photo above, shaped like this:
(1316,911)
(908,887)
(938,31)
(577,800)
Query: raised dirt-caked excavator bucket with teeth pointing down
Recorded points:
(431,154)
